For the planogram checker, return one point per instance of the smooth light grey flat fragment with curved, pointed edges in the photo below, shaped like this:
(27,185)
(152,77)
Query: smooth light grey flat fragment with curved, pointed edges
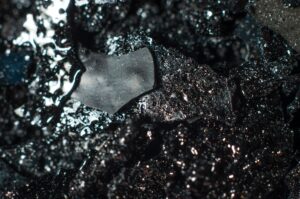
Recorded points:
(110,82)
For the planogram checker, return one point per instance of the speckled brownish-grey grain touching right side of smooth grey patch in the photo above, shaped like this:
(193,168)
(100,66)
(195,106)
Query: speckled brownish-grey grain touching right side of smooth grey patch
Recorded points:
(186,90)
